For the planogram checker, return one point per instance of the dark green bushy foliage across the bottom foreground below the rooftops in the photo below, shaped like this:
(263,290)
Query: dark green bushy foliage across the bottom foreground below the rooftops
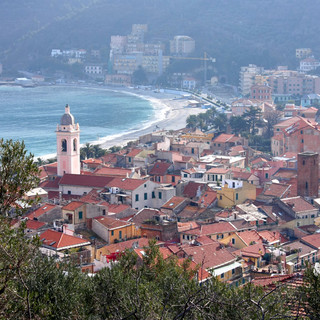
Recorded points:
(36,287)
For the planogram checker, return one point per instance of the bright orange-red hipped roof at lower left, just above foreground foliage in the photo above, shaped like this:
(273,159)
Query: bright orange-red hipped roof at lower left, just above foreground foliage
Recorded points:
(59,241)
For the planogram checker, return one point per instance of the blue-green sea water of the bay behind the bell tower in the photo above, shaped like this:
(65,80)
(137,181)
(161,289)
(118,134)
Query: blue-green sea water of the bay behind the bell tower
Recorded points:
(32,114)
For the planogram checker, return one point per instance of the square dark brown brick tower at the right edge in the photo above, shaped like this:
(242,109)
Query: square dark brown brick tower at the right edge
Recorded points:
(308,174)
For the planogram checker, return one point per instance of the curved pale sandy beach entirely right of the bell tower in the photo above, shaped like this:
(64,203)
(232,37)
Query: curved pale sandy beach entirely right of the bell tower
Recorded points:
(171,109)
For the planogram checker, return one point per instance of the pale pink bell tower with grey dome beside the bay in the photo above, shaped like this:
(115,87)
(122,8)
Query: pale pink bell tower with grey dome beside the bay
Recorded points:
(68,144)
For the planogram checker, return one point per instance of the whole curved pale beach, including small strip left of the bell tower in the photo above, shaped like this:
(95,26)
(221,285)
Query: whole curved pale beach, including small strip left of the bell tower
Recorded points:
(171,107)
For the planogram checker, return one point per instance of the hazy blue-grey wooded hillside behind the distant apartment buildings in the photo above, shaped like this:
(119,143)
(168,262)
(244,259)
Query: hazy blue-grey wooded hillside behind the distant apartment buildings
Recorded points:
(235,32)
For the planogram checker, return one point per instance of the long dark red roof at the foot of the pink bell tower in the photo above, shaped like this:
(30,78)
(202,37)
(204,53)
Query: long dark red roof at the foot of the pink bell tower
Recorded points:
(85,180)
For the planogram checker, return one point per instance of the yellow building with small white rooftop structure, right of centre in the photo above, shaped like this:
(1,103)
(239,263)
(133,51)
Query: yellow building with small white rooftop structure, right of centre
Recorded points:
(235,192)
